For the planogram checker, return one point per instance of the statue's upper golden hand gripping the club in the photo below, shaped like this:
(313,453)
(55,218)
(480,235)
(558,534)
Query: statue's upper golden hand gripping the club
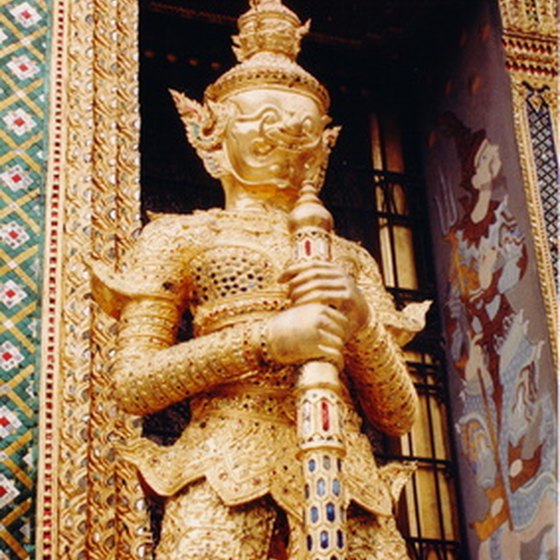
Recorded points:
(327,283)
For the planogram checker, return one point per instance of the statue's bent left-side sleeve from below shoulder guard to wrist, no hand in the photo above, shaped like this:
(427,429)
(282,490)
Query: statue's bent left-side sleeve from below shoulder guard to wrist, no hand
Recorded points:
(152,371)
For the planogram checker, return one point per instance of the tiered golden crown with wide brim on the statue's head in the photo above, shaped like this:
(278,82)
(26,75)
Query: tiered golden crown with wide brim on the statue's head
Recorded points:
(266,47)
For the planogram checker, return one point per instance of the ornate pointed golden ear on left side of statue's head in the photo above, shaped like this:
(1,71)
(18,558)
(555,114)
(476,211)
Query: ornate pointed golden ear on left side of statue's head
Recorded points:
(205,125)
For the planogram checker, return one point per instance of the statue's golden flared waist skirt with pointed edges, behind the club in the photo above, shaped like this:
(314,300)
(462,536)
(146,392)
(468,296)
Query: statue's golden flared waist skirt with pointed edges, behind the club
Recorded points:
(242,439)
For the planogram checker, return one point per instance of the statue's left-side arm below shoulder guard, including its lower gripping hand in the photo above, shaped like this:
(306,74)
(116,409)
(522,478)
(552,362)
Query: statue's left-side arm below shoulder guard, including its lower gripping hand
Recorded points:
(152,371)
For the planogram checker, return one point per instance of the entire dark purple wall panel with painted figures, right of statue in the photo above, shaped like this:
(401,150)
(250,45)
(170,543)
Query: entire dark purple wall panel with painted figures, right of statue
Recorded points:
(499,350)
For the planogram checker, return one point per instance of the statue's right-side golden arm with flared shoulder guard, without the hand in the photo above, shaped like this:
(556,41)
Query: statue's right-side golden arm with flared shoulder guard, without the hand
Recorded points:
(374,357)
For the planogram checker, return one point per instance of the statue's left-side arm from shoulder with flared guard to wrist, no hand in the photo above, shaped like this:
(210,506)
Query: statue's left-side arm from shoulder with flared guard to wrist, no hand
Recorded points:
(151,370)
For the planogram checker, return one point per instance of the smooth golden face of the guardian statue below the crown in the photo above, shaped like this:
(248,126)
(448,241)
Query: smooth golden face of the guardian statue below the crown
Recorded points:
(274,140)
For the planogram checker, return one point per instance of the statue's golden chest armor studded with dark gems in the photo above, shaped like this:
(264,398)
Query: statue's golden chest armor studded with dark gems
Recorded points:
(236,275)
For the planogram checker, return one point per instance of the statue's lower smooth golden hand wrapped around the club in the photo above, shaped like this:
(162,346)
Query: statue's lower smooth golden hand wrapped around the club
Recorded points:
(311,331)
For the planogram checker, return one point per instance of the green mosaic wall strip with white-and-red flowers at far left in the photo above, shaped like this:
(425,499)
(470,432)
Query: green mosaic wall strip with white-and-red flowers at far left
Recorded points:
(23,46)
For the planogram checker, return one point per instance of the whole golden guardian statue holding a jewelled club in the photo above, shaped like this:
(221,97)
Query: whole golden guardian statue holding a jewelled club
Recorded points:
(292,329)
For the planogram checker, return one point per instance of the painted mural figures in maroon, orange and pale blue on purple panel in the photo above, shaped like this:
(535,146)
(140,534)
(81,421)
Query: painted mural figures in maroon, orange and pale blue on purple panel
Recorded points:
(506,424)
